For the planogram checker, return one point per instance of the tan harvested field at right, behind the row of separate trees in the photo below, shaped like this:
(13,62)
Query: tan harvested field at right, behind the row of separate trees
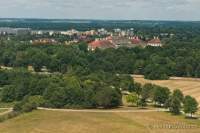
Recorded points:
(189,86)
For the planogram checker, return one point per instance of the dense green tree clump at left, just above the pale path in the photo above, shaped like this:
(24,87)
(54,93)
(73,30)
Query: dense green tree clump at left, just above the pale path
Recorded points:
(94,90)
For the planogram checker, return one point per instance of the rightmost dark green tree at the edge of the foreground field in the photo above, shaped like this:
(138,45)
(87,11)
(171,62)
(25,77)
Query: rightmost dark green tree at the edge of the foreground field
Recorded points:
(190,105)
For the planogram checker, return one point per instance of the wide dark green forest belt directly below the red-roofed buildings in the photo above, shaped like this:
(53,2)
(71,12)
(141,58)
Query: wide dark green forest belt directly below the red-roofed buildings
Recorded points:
(174,59)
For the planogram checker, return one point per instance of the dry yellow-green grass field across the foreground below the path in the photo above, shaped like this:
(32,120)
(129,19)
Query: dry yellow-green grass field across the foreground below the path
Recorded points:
(42,121)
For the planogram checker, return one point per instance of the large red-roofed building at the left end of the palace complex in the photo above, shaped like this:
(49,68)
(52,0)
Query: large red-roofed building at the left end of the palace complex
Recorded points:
(101,44)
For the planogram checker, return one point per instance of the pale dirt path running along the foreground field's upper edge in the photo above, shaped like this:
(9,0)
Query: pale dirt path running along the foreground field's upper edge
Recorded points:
(104,111)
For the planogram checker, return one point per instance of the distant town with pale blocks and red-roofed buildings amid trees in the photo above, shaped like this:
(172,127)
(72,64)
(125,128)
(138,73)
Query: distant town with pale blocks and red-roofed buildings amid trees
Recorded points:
(99,38)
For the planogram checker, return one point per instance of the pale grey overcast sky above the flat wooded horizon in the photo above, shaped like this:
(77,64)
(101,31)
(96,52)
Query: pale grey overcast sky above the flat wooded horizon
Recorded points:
(102,9)
